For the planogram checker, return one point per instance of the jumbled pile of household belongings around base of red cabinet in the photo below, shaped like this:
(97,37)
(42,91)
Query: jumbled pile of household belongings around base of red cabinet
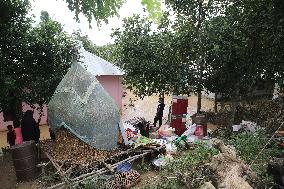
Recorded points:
(165,136)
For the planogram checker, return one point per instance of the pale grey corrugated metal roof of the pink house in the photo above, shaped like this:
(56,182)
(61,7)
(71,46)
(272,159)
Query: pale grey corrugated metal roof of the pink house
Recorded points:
(96,65)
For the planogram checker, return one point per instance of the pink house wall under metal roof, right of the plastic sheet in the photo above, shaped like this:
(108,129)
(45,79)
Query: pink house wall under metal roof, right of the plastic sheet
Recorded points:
(112,84)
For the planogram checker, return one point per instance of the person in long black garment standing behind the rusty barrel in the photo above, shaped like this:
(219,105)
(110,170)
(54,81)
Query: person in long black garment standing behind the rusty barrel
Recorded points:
(30,129)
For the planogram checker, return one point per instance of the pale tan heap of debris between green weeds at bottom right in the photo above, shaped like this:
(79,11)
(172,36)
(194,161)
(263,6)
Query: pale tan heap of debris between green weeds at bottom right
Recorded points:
(230,171)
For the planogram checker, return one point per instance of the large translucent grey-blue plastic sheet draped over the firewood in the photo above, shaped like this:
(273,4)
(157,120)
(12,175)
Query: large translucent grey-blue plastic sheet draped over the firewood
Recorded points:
(82,106)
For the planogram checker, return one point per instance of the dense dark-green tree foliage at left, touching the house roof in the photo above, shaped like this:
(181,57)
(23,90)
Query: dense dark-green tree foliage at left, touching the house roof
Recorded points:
(33,60)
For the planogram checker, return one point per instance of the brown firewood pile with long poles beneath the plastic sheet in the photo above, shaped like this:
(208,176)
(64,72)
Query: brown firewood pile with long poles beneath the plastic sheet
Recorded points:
(76,161)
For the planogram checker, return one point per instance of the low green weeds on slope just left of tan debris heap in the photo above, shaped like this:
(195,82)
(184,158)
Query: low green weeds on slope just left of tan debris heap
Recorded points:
(190,168)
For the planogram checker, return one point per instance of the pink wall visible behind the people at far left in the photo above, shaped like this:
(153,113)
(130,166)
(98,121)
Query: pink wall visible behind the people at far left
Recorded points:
(3,125)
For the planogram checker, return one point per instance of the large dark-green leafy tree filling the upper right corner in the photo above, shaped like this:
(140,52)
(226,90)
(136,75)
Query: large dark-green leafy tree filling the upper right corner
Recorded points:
(244,47)
